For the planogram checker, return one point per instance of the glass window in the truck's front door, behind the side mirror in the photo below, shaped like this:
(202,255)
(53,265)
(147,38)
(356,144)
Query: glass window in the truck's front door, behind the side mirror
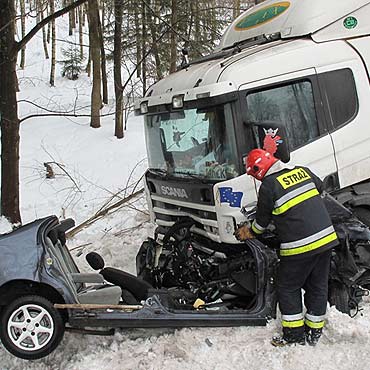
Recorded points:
(292,105)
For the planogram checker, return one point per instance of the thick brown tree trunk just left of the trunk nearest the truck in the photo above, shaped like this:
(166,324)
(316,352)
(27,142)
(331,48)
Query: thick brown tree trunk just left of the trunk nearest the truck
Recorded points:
(93,14)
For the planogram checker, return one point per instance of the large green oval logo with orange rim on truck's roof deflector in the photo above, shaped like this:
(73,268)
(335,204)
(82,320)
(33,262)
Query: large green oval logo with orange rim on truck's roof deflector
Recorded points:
(262,16)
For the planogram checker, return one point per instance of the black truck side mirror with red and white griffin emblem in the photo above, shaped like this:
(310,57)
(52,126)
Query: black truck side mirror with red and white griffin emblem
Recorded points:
(273,137)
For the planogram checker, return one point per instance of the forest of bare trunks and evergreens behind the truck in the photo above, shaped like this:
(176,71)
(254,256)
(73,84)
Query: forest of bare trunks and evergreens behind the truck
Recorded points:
(140,40)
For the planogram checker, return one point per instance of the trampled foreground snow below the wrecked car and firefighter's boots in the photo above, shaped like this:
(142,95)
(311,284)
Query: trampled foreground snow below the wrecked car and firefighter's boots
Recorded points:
(344,345)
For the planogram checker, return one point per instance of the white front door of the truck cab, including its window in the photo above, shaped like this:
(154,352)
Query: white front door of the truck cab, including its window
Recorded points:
(295,101)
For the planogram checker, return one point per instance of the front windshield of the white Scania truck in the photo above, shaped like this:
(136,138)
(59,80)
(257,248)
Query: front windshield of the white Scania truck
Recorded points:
(193,142)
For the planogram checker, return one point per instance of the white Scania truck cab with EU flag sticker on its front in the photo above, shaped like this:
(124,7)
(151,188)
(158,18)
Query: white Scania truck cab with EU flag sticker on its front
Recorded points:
(304,64)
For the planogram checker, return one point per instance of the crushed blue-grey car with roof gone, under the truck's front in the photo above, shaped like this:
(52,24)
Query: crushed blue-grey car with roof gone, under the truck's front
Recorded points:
(183,280)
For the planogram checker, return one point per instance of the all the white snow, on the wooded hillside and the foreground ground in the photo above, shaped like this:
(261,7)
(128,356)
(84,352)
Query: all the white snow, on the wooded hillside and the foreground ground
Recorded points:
(100,165)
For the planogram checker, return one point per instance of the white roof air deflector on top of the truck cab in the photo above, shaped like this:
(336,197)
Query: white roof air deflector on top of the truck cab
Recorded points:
(296,18)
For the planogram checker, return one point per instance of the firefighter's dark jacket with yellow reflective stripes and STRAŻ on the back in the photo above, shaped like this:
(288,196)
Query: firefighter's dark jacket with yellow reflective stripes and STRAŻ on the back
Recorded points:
(291,198)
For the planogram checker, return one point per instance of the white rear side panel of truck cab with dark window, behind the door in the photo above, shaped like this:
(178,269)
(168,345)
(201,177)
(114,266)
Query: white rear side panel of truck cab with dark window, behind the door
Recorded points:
(346,91)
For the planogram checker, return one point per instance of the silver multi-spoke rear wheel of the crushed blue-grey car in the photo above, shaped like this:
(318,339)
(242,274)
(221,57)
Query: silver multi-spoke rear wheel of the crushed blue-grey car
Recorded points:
(30,327)
